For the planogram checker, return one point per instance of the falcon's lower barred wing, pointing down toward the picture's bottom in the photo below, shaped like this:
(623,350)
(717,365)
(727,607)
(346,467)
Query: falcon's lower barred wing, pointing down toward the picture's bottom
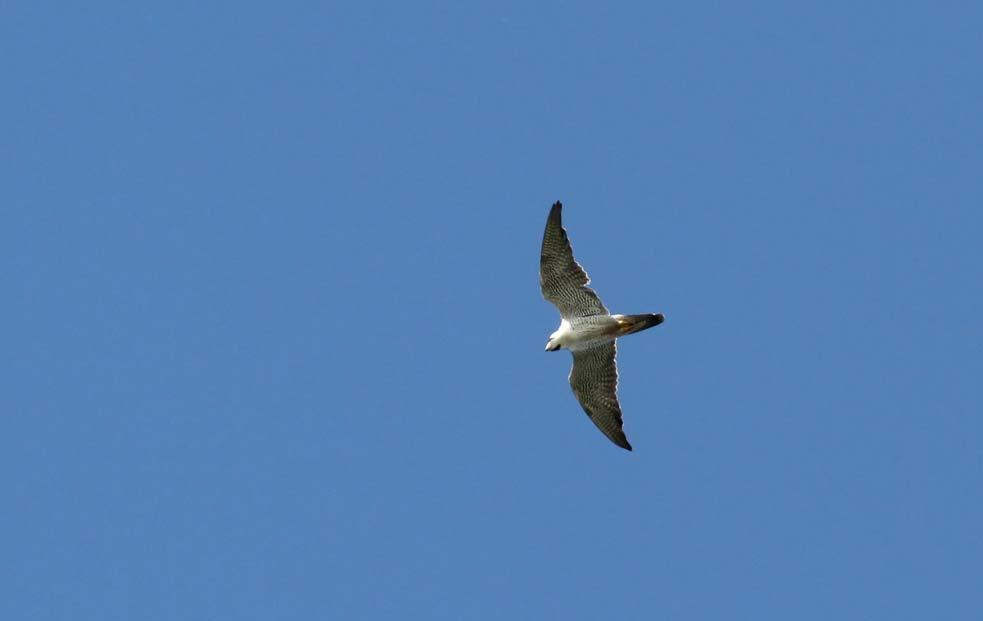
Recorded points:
(594,379)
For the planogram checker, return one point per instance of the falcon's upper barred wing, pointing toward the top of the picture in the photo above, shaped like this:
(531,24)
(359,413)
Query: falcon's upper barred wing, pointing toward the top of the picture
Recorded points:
(562,280)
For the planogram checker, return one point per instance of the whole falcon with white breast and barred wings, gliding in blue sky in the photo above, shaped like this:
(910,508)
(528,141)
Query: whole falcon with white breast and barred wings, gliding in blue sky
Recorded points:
(586,329)
